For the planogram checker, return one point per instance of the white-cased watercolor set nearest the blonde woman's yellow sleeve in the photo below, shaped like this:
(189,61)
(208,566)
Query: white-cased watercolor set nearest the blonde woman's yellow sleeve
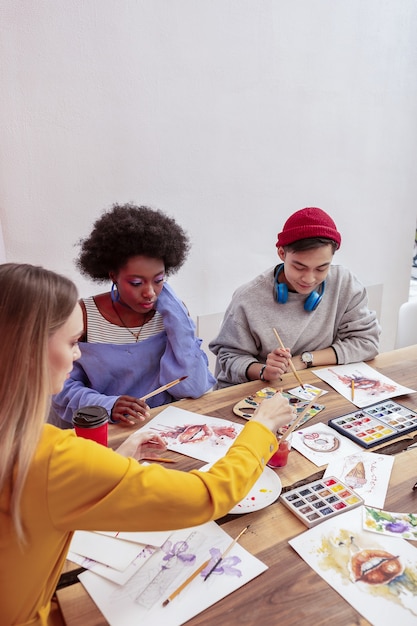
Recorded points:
(320,500)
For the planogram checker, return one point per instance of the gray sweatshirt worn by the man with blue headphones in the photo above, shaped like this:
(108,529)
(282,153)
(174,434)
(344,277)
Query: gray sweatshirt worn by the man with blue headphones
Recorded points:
(342,320)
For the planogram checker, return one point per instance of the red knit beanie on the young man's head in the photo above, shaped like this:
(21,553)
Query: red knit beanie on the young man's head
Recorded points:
(306,223)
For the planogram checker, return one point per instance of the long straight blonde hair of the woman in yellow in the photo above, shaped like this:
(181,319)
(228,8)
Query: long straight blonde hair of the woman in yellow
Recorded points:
(34,303)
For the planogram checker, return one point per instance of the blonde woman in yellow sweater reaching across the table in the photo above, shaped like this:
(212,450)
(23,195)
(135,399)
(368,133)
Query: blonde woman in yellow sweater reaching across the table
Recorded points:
(52,483)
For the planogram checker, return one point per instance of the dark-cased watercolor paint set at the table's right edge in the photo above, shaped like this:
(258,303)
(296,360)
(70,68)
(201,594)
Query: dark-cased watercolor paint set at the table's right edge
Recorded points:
(376,424)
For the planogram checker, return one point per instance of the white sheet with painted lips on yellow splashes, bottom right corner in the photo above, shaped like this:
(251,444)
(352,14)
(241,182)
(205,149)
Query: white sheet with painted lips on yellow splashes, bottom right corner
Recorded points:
(336,548)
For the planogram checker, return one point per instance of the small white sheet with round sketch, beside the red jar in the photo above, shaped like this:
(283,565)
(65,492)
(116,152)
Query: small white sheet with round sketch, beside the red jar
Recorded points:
(320,444)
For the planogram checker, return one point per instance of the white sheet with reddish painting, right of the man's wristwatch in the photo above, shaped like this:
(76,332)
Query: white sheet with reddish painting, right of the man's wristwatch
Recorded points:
(370,385)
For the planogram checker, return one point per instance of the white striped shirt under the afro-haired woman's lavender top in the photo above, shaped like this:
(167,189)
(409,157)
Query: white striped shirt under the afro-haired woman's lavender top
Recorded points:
(100,330)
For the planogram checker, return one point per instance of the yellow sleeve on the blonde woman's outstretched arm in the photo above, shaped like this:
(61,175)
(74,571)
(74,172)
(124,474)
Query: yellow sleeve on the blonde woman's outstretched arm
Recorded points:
(90,487)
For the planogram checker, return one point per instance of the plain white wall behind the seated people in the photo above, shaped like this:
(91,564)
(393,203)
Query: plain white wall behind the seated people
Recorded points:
(228,115)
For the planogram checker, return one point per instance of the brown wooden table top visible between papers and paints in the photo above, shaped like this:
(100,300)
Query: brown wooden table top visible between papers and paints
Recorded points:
(289,592)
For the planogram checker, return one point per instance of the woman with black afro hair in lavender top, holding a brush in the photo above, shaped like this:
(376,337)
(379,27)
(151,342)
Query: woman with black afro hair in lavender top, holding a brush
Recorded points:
(138,336)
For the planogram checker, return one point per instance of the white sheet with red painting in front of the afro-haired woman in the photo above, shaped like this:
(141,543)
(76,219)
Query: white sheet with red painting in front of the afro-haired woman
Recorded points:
(199,436)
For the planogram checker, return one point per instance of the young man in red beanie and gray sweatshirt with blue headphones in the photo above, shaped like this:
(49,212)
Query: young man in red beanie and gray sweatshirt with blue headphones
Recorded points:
(320,310)
